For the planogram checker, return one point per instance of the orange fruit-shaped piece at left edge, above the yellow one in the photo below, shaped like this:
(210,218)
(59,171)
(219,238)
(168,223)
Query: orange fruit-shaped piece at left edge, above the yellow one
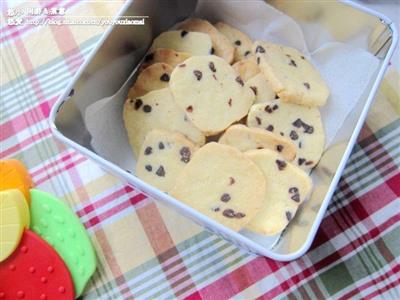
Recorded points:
(14,175)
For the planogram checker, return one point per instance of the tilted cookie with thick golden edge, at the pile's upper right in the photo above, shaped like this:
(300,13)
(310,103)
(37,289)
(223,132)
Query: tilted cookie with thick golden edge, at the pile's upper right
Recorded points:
(292,77)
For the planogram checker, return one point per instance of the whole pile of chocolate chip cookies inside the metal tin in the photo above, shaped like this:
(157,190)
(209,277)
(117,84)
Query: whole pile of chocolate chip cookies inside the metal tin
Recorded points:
(228,126)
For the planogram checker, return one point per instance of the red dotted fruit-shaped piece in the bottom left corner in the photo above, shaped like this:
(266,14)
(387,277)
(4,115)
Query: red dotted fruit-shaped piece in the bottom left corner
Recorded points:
(35,271)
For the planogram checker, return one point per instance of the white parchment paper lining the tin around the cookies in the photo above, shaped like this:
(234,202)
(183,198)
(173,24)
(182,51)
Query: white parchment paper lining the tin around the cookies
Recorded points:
(347,71)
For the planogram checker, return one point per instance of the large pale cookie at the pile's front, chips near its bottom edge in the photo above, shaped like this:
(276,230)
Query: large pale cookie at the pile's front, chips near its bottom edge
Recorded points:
(223,184)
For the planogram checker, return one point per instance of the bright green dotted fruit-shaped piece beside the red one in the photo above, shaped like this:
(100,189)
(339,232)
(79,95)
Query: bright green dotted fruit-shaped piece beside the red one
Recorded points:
(61,228)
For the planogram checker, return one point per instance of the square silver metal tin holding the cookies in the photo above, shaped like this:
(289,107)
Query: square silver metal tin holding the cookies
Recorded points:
(121,49)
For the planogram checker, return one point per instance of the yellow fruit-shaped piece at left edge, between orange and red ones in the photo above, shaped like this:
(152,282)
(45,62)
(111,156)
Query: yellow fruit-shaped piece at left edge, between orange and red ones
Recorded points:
(14,216)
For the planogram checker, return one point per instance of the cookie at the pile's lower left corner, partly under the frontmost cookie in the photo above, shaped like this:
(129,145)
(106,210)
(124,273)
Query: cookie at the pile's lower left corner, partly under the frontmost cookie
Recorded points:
(162,157)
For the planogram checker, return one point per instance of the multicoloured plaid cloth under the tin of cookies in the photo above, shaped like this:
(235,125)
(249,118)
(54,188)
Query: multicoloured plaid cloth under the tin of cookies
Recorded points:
(146,252)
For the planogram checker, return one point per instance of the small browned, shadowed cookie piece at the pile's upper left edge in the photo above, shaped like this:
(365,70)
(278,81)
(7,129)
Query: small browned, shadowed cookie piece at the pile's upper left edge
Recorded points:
(152,78)
